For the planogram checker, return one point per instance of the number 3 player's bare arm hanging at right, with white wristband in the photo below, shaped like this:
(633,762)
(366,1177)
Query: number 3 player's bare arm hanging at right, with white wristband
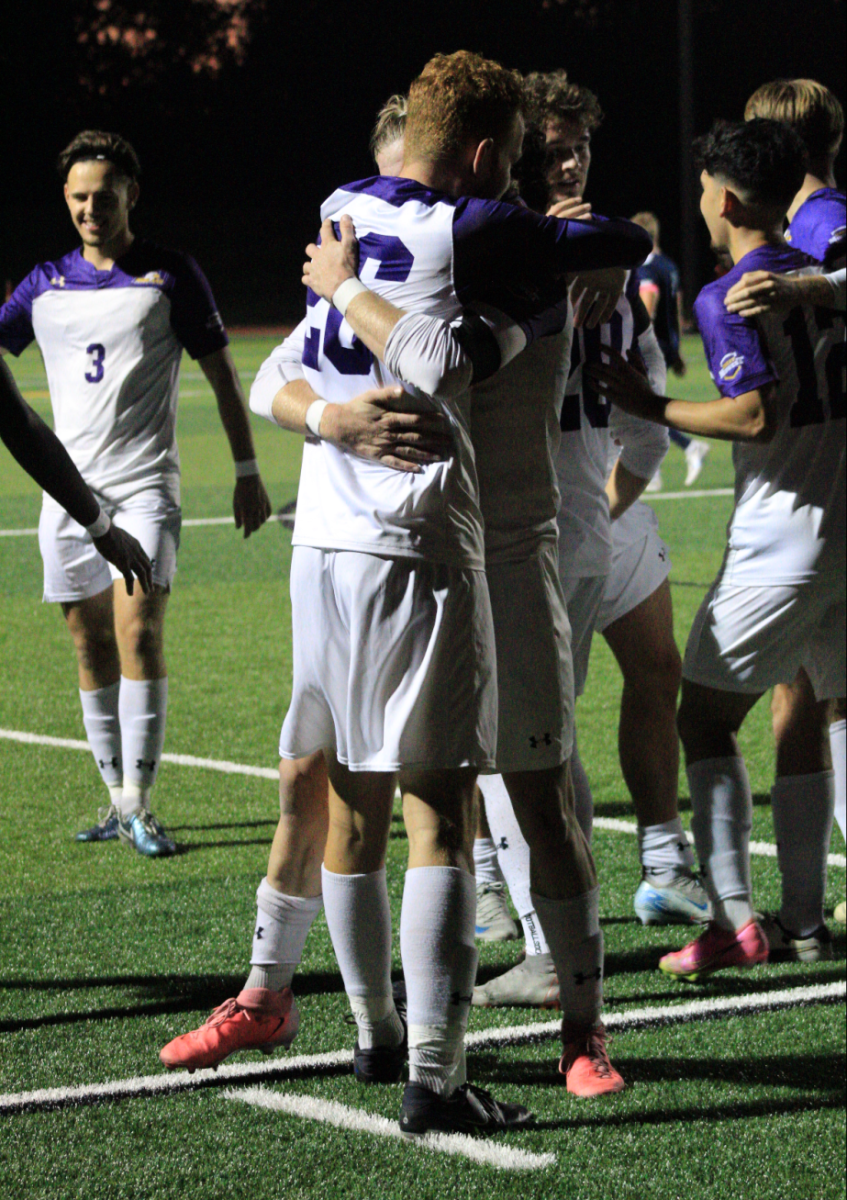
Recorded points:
(251,505)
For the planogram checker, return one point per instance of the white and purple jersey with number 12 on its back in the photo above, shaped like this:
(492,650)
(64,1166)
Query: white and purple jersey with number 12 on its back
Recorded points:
(789,523)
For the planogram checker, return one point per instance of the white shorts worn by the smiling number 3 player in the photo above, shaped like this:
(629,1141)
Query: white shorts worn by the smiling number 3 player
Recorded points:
(75,571)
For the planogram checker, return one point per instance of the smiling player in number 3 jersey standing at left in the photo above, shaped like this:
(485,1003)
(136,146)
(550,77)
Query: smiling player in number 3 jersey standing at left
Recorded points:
(111,320)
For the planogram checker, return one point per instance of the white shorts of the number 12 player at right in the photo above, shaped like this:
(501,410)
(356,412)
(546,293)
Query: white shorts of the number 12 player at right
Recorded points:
(747,639)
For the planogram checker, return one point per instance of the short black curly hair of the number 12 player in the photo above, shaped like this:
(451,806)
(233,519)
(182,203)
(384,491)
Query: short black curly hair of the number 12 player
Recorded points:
(766,160)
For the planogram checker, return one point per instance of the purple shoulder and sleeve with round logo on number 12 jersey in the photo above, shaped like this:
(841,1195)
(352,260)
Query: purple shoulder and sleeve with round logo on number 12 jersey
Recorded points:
(735,352)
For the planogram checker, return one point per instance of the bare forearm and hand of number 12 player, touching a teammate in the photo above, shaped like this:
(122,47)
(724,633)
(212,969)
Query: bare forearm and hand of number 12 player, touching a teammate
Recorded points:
(749,417)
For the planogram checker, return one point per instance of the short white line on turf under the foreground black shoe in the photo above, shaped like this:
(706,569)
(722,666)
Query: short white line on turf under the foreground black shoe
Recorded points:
(504,1159)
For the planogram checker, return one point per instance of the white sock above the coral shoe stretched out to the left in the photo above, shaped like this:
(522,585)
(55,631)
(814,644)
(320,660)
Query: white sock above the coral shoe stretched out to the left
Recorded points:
(283,926)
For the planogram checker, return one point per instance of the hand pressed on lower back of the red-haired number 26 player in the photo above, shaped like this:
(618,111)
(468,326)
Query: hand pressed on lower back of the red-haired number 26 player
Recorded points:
(376,425)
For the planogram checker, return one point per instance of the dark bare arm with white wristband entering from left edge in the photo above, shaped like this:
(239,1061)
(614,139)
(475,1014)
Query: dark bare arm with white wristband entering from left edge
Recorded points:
(41,454)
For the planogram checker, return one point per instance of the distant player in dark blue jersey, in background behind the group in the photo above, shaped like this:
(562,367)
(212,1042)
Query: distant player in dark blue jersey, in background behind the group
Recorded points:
(662,293)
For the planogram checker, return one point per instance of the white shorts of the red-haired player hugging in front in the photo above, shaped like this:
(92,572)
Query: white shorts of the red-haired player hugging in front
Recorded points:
(394,663)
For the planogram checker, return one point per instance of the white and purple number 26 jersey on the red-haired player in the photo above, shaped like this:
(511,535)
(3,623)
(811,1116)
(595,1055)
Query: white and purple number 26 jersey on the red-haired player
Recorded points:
(426,253)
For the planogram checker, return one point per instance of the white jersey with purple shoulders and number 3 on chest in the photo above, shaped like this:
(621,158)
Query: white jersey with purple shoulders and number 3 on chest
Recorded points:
(112,344)
